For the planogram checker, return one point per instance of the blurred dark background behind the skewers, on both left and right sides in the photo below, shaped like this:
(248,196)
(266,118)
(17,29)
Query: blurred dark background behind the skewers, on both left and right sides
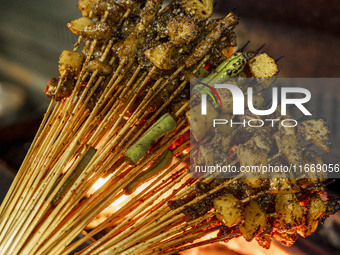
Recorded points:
(33,34)
